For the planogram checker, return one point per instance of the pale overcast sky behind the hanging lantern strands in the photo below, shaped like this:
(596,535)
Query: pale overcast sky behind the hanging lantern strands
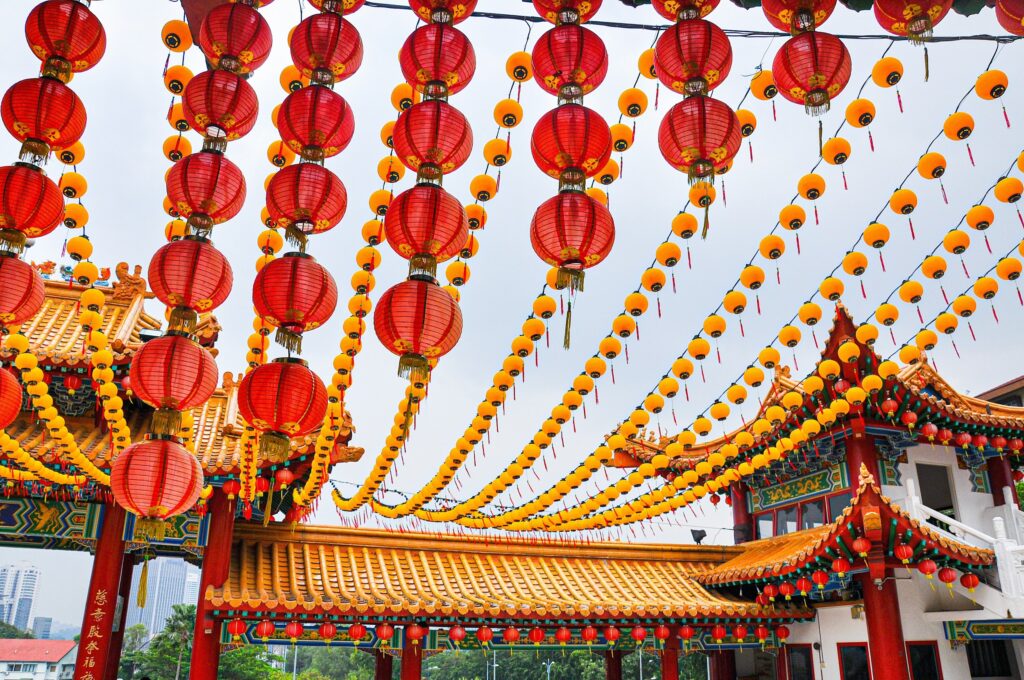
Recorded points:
(127,105)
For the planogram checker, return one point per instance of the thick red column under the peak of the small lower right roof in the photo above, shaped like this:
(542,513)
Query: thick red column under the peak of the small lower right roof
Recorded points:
(885,629)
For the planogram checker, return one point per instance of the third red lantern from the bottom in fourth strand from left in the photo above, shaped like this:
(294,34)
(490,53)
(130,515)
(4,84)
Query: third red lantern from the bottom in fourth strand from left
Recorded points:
(433,139)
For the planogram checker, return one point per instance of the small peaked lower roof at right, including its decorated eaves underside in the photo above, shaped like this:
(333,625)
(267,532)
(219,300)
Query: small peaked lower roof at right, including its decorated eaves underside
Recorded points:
(871,515)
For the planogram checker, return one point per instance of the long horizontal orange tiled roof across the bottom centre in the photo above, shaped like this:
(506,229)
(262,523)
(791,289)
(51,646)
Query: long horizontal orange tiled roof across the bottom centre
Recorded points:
(361,572)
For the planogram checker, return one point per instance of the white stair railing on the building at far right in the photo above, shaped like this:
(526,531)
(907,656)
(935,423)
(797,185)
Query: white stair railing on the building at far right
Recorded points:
(1008,526)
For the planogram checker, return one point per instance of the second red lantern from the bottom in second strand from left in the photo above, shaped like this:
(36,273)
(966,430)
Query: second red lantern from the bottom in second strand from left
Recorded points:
(173,373)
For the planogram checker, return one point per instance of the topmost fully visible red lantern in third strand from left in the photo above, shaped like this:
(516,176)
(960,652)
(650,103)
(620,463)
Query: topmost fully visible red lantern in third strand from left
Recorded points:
(327,49)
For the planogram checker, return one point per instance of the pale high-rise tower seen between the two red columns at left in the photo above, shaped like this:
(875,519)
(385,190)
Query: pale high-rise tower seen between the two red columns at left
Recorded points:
(169,582)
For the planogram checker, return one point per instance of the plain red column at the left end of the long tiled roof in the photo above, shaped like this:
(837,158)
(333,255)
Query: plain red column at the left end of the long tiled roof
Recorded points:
(217,561)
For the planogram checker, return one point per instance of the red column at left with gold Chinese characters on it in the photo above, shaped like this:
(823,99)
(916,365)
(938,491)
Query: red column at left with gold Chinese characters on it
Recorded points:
(96,647)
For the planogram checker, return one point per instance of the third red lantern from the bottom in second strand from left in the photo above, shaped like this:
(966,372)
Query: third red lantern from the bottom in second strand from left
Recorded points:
(190,276)
